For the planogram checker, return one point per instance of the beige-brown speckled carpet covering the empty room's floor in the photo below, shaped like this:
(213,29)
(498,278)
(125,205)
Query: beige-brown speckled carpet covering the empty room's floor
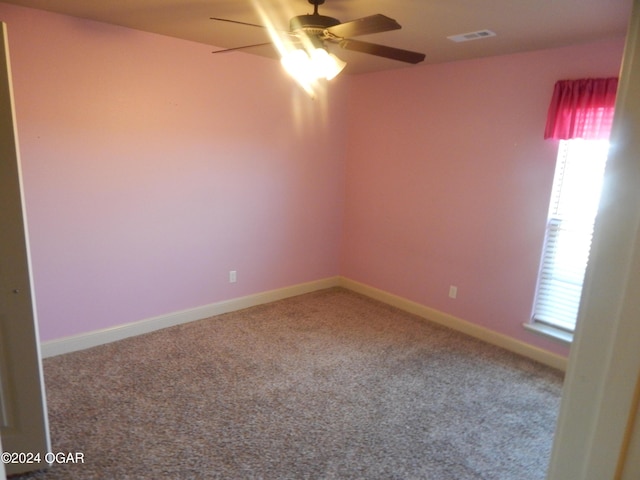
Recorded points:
(329,385)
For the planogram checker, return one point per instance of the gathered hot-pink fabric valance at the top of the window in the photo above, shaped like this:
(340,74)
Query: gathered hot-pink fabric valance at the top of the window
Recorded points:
(582,109)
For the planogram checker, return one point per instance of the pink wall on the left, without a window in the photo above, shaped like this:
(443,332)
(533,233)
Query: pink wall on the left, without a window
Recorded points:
(152,168)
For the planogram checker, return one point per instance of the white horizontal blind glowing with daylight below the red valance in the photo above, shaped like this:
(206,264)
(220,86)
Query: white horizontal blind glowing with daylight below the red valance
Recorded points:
(572,213)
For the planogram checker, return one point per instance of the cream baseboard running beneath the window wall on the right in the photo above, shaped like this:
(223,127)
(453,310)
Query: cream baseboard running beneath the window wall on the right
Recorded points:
(489,336)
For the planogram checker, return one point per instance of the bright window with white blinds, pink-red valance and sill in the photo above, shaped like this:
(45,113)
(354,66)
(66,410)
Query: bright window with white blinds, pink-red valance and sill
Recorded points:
(580,115)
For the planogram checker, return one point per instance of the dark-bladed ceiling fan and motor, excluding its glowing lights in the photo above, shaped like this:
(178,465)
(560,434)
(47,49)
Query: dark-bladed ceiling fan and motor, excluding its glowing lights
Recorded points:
(319,30)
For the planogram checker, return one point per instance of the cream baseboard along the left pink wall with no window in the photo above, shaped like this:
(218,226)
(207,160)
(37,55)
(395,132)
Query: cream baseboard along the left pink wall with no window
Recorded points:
(99,337)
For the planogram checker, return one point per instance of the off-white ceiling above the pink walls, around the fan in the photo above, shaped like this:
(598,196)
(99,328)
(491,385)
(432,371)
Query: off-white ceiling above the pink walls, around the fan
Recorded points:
(520,25)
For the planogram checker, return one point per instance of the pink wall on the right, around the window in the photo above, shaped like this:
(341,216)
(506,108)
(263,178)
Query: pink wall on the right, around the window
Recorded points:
(448,183)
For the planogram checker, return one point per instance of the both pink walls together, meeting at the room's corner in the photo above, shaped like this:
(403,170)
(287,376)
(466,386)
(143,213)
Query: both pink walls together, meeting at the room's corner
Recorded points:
(152,168)
